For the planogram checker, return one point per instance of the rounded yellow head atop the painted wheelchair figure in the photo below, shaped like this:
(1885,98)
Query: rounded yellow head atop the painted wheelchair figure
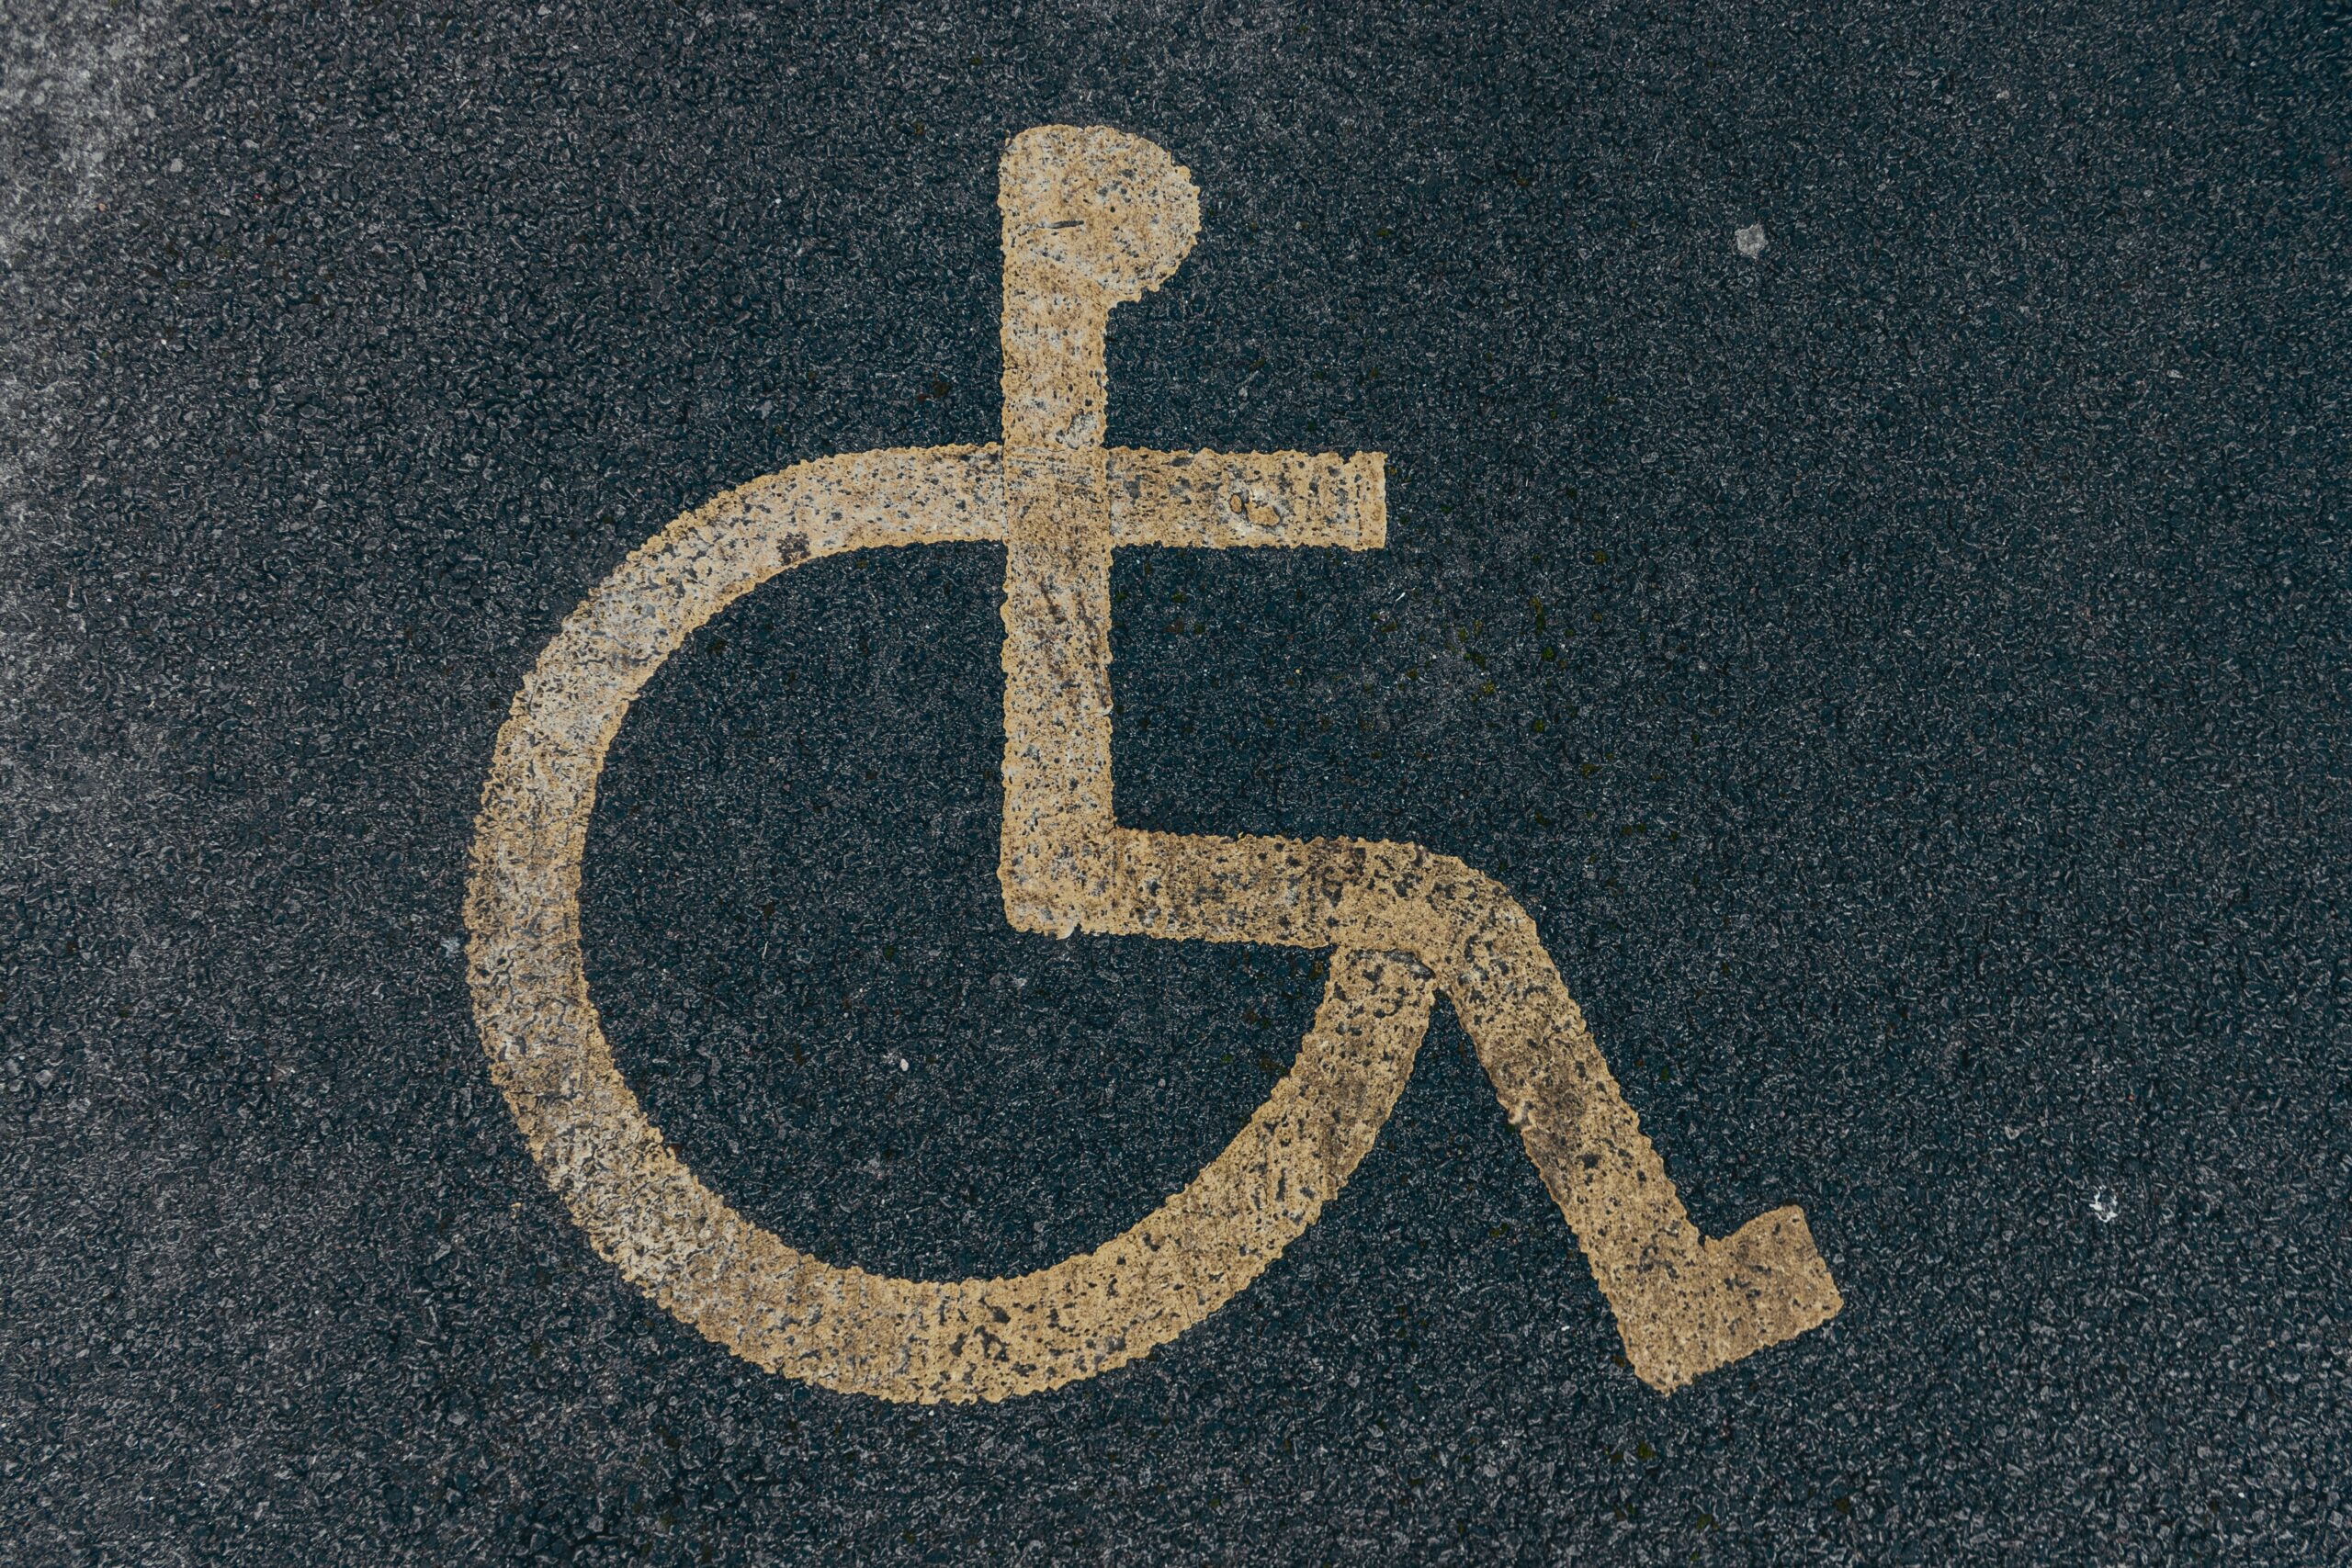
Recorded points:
(1107,208)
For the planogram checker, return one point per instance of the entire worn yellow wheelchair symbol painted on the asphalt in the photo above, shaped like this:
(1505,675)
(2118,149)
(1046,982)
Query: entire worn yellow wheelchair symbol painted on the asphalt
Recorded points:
(1093,220)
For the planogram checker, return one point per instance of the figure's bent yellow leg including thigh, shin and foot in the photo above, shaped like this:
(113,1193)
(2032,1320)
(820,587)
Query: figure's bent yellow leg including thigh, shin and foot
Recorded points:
(1683,1304)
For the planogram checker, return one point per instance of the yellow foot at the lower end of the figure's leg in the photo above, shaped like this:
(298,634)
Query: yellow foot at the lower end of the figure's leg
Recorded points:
(1753,1289)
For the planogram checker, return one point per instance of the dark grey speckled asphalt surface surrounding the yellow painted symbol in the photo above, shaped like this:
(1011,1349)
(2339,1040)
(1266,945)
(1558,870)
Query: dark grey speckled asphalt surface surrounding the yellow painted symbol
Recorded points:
(1902,671)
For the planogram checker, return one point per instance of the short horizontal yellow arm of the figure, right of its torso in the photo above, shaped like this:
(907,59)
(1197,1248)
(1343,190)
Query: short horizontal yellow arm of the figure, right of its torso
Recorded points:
(1224,500)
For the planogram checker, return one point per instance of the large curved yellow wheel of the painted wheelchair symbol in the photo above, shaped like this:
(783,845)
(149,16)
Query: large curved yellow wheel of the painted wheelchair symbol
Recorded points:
(648,1214)
